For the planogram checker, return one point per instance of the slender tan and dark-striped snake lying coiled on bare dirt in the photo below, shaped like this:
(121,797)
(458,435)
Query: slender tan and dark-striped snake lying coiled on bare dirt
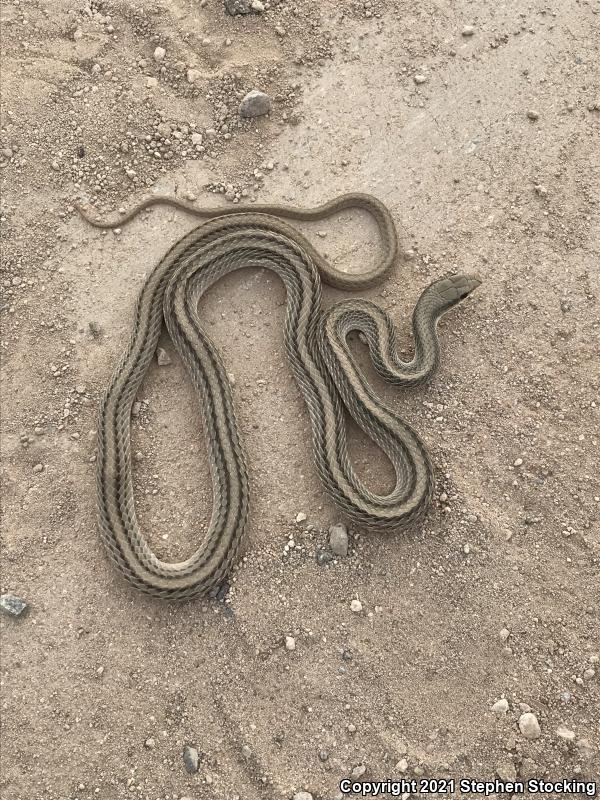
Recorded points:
(321,359)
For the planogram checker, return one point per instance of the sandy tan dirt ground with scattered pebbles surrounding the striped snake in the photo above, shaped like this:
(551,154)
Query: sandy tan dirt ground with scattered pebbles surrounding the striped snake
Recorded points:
(485,143)
